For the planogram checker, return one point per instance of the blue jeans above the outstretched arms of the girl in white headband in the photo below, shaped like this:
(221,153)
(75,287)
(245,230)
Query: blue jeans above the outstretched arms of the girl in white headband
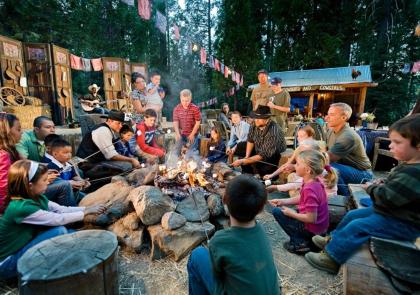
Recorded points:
(61,192)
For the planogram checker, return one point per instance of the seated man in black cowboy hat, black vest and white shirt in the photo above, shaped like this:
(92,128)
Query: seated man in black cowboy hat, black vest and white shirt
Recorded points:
(97,147)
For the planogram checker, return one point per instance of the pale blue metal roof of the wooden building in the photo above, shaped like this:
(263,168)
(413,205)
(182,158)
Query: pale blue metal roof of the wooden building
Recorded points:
(328,76)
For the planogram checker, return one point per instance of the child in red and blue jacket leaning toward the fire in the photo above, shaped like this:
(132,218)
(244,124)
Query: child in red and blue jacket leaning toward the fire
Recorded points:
(145,137)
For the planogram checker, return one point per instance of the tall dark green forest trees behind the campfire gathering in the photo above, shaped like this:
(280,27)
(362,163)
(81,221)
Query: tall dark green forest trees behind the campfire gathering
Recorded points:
(247,35)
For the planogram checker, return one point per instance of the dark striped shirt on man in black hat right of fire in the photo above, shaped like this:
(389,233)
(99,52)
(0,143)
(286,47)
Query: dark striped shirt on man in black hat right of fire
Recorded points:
(268,142)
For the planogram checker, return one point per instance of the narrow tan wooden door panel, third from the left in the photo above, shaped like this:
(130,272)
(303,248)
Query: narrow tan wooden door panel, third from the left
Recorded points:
(62,83)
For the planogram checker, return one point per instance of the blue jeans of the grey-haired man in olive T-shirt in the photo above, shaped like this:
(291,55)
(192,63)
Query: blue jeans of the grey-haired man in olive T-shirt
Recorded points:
(348,174)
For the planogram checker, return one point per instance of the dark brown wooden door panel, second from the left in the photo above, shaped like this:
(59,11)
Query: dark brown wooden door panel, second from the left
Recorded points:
(39,71)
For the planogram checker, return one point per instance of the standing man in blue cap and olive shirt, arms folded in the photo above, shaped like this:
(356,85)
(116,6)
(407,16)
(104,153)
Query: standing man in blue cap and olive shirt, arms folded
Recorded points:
(279,103)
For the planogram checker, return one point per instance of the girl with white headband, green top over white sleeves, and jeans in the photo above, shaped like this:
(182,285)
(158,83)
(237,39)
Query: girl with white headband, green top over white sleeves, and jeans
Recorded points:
(30,217)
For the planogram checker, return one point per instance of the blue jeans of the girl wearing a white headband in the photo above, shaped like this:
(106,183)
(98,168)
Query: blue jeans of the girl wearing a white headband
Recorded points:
(8,267)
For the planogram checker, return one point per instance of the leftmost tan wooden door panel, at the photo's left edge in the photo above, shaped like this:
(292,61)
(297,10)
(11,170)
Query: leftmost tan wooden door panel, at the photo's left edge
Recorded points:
(12,65)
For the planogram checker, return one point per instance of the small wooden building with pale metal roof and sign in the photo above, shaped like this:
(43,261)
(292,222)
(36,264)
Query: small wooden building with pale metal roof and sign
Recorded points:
(319,88)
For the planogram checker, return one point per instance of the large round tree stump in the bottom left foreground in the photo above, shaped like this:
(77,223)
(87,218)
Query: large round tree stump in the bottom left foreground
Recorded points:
(84,262)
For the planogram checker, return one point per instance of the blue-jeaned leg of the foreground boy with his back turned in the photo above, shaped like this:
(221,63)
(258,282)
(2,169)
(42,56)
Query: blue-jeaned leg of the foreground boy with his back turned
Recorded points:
(200,275)
